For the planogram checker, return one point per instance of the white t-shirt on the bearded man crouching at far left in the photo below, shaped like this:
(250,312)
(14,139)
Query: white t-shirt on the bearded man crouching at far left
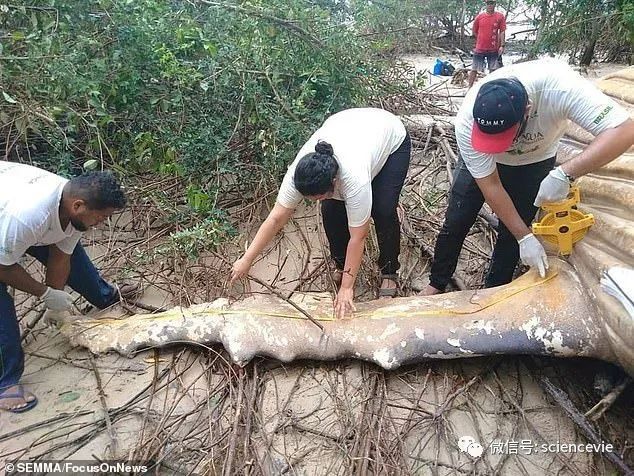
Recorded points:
(29,212)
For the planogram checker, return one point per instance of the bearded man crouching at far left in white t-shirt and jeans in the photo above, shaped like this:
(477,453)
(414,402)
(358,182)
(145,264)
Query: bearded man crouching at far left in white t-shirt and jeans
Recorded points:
(43,215)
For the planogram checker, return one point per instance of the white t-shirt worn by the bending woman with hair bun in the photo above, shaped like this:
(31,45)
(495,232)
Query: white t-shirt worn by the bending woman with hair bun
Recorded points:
(362,140)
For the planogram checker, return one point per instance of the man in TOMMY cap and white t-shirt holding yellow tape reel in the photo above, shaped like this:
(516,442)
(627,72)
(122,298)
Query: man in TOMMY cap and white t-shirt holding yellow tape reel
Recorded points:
(508,132)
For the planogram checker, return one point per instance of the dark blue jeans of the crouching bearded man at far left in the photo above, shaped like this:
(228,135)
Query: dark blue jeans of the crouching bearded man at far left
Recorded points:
(84,278)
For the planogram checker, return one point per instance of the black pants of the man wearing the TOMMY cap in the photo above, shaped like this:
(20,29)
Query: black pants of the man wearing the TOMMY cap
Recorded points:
(465,201)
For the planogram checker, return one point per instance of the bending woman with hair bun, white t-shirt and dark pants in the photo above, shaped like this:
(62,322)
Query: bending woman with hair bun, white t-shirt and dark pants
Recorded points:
(355,165)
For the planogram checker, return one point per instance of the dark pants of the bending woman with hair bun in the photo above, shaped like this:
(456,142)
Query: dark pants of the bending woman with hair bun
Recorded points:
(386,188)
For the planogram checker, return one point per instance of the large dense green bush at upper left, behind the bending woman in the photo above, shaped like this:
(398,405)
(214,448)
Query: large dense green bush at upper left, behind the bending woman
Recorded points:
(206,91)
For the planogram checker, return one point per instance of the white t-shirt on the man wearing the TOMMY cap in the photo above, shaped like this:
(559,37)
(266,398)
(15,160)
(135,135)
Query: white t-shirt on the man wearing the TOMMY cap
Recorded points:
(557,94)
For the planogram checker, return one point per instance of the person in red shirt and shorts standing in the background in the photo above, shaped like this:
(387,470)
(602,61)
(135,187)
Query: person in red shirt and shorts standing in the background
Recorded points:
(488,29)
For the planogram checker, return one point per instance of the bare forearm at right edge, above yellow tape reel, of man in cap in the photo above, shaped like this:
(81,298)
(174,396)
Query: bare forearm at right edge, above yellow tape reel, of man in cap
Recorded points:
(606,147)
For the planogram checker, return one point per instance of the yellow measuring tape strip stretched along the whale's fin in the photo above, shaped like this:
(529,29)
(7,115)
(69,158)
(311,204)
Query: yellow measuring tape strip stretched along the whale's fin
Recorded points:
(471,308)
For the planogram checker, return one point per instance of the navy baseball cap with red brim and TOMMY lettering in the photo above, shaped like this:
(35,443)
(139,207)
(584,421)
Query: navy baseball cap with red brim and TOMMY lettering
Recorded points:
(497,115)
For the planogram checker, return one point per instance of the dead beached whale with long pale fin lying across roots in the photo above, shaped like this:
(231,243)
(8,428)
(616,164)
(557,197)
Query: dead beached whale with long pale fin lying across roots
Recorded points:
(566,314)
